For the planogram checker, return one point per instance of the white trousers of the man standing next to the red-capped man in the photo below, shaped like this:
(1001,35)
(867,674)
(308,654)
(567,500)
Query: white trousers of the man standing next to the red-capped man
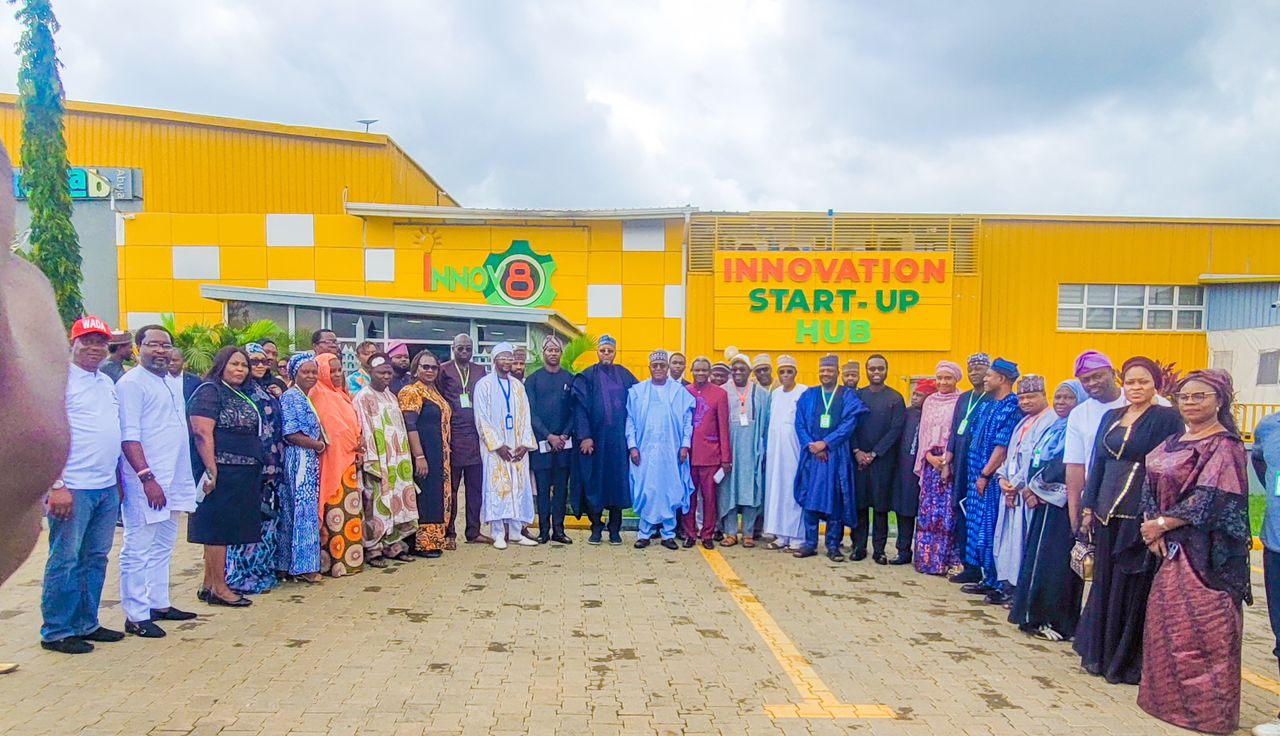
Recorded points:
(145,568)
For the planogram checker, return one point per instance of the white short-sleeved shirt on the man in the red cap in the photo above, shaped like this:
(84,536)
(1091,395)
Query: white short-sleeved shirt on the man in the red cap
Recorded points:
(94,417)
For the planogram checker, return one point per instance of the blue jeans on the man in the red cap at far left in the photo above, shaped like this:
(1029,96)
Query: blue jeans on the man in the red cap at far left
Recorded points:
(77,564)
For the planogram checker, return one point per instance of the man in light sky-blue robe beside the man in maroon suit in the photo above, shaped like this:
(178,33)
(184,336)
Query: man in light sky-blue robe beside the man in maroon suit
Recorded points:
(660,433)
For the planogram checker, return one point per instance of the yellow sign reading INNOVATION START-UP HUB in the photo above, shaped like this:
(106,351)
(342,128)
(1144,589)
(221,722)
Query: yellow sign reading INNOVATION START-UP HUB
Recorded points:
(797,301)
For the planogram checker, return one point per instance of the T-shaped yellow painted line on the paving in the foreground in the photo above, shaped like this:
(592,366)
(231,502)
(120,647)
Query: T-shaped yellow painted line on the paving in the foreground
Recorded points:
(817,700)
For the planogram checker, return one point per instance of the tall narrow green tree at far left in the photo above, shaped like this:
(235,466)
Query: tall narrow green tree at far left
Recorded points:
(54,245)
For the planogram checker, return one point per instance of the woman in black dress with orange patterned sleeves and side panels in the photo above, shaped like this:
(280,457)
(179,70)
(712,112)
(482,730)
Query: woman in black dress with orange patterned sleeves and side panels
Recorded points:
(427,417)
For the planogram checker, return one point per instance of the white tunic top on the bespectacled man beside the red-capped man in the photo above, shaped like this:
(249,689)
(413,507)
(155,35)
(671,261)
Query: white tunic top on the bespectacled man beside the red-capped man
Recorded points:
(153,413)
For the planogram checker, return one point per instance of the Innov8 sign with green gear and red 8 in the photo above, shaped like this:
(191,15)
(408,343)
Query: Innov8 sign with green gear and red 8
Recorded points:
(515,278)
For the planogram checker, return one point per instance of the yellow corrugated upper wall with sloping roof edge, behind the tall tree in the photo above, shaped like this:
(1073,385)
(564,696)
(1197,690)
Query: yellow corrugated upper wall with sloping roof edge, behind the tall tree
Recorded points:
(194,164)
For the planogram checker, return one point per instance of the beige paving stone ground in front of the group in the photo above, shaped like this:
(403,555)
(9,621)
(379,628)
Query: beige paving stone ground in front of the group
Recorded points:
(574,641)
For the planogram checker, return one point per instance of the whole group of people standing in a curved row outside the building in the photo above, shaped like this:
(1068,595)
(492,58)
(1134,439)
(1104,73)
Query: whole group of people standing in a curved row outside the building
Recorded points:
(1013,492)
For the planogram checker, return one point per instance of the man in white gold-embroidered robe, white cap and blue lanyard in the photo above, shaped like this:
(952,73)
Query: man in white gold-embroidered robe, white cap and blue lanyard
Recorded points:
(506,441)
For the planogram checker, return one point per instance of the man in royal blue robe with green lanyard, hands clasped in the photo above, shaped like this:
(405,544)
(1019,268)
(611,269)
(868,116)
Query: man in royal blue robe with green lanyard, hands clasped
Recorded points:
(826,418)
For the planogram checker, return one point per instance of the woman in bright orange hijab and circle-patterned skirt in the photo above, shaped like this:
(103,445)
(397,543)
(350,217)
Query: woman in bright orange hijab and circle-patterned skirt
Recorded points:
(341,505)
